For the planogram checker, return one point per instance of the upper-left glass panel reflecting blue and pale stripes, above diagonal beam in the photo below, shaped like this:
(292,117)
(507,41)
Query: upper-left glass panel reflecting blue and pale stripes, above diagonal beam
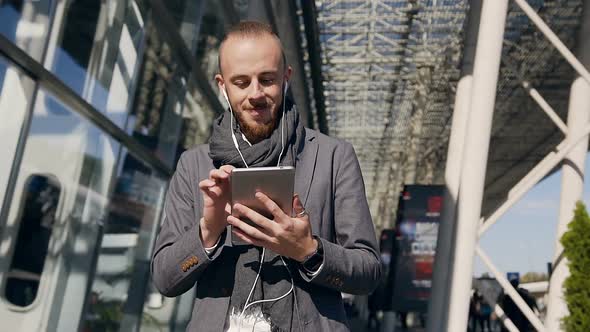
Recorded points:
(98,52)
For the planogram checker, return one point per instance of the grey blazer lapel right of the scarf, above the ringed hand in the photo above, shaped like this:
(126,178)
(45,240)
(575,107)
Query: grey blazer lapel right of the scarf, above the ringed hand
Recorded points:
(305,166)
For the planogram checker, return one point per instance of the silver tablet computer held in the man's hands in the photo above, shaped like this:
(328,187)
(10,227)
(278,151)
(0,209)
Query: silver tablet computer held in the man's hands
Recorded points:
(275,182)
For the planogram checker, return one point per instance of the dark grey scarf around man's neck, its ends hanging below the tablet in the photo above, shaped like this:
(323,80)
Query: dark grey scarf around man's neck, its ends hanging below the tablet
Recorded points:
(274,279)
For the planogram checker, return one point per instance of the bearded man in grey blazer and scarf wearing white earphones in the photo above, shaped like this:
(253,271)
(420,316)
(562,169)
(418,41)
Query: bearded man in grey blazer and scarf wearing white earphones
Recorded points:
(324,249)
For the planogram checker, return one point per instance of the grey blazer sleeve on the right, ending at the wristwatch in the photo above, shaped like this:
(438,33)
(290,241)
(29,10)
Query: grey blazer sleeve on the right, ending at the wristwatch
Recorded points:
(352,265)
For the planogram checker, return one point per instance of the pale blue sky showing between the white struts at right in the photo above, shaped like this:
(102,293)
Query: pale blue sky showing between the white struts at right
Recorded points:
(523,240)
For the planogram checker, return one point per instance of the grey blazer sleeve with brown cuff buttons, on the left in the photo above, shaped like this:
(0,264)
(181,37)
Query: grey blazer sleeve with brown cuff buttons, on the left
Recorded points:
(179,258)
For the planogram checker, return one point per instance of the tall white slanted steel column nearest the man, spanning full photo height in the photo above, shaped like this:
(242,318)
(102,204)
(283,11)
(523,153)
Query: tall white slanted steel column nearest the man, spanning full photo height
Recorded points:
(485,78)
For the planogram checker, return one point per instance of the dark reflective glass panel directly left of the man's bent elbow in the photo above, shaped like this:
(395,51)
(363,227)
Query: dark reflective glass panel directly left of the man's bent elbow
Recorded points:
(122,274)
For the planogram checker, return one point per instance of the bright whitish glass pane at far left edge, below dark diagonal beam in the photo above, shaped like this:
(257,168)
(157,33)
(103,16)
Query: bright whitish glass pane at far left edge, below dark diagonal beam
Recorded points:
(15,93)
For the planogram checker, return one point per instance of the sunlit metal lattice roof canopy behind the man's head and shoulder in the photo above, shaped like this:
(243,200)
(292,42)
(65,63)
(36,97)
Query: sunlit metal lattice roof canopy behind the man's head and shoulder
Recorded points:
(389,68)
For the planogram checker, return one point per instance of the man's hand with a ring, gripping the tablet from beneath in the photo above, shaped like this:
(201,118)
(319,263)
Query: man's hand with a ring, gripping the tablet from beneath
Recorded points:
(287,236)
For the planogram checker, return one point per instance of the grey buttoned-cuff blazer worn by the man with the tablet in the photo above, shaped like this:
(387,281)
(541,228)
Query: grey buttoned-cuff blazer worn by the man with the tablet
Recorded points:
(329,181)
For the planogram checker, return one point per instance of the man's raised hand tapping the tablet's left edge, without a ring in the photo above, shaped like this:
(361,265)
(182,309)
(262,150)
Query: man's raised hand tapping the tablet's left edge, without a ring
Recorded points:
(216,196)
